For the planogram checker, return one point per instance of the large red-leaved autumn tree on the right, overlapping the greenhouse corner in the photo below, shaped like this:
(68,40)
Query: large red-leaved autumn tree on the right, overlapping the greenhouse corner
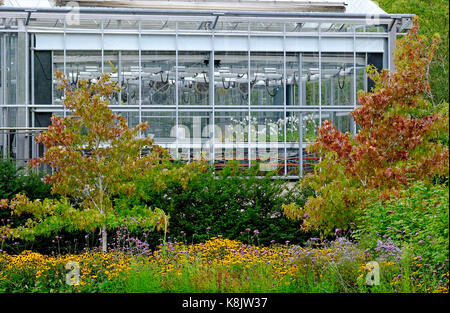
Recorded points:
(399,141)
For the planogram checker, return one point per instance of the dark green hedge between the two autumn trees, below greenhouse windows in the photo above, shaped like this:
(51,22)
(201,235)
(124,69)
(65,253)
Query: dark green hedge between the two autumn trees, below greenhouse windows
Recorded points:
(222,203)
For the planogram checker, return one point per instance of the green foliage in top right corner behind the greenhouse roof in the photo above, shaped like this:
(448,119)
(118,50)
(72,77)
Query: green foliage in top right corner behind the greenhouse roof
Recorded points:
(434,18)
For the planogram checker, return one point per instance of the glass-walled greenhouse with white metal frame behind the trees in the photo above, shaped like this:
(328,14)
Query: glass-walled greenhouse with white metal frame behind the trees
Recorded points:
(229,80)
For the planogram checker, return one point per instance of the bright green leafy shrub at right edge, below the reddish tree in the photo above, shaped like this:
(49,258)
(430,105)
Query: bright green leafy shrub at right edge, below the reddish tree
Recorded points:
(418,220)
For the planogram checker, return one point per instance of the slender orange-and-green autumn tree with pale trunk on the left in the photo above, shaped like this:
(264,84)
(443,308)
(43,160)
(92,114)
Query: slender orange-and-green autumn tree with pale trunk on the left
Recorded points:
(95,157)
